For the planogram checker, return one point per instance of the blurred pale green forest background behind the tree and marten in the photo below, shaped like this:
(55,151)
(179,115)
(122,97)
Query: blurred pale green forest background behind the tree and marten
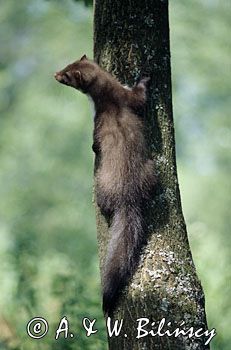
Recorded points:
(48,248)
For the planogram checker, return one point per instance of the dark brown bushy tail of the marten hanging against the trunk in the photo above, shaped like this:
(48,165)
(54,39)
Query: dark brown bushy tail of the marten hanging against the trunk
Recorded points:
(127,237)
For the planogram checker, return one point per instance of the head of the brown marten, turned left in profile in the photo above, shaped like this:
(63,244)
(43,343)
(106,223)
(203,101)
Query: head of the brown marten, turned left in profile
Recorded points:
(80,75)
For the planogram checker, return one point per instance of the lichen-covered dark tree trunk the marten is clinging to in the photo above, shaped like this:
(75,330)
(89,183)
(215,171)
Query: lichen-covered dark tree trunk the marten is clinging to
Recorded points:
(131,39)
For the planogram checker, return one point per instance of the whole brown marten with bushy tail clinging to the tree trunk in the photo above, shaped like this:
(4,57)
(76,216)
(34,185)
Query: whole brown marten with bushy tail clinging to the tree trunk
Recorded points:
(125,175)
